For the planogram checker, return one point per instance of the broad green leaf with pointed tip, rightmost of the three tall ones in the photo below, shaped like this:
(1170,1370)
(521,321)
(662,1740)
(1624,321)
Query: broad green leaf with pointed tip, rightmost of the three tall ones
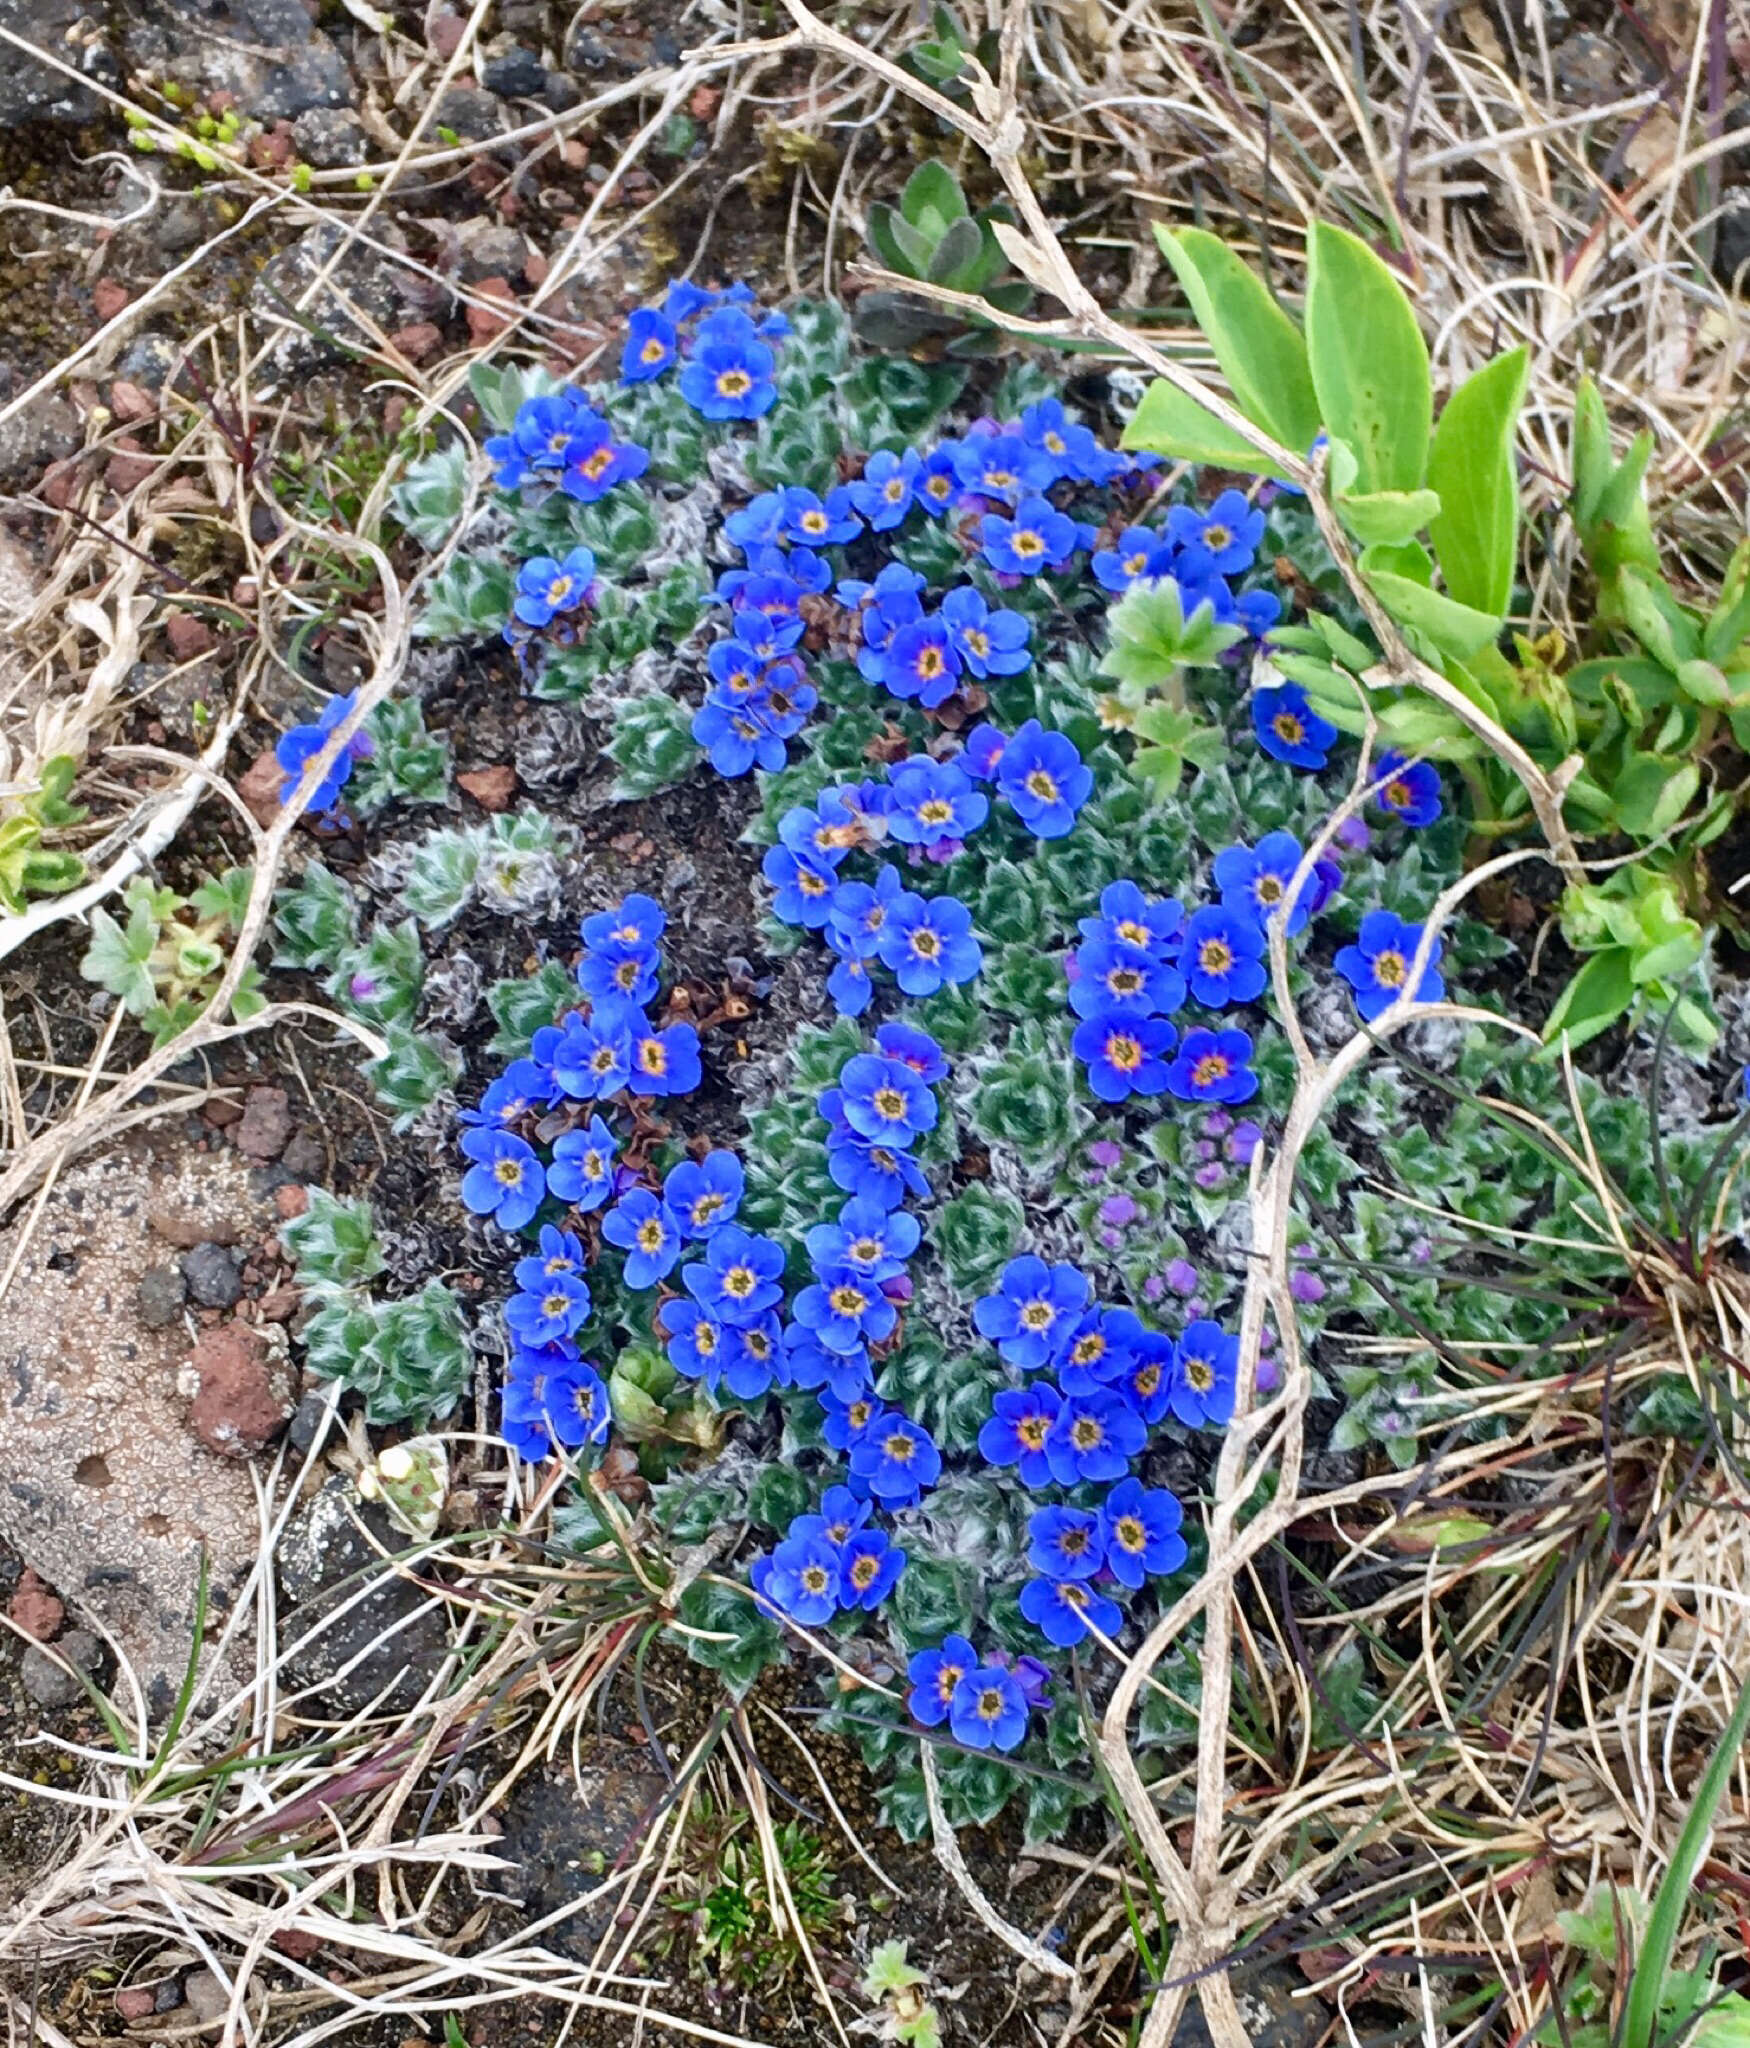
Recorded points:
(1472,468)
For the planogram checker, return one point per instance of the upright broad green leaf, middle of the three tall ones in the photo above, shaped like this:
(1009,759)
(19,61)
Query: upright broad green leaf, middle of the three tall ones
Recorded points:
(1370,364)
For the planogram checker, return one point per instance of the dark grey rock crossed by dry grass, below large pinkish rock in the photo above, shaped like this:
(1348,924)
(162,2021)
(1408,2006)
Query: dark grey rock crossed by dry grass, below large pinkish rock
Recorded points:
(394,1633)
